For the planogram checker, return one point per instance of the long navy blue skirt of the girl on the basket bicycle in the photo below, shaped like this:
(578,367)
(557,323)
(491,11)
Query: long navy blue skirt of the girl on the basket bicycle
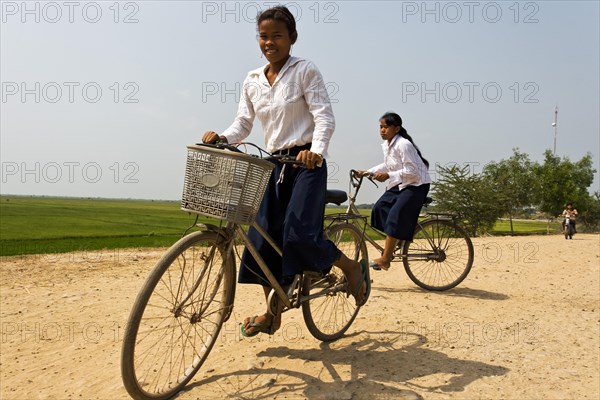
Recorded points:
(292,213)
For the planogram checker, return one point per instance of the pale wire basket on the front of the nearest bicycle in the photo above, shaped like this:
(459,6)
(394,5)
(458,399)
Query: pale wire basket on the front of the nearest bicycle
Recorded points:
(224,184)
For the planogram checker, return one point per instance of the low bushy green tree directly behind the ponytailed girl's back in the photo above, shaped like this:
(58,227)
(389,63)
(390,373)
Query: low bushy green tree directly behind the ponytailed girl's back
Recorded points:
(469,195)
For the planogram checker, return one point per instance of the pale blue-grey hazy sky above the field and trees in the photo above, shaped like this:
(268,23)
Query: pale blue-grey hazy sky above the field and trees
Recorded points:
(99,99)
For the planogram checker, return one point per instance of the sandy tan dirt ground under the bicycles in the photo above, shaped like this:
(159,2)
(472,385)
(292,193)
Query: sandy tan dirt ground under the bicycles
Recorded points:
(523,325)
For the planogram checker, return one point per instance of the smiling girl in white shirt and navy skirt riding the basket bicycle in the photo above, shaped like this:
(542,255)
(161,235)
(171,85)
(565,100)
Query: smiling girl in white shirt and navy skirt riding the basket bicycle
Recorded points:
(289,97)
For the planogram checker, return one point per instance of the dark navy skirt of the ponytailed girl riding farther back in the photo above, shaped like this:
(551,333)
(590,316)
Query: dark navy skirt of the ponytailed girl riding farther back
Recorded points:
(397,211)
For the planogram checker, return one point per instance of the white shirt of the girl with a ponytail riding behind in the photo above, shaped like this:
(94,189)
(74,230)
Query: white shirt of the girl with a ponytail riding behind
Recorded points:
(403,164)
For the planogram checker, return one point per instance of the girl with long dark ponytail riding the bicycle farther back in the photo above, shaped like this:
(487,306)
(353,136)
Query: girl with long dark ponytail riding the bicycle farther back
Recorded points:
(397,211)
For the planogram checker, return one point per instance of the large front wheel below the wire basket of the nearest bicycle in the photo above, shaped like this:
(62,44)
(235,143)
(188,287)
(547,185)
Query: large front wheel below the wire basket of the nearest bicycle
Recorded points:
(177,316)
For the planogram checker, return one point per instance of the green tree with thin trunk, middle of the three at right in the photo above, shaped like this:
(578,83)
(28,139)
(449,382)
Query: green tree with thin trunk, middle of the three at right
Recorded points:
(513,182)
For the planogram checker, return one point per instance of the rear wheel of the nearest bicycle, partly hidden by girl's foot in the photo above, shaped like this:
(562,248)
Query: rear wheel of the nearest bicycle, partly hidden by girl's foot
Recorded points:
(329,316)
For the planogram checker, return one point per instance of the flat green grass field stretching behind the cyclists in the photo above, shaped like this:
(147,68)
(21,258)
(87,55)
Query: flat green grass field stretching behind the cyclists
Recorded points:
(37,225)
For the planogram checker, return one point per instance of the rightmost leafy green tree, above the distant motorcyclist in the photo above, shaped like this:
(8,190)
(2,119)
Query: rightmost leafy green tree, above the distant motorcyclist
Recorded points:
(561,181)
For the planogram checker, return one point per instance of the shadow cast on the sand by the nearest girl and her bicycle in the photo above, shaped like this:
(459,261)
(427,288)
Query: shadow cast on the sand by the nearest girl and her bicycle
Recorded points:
(351,368)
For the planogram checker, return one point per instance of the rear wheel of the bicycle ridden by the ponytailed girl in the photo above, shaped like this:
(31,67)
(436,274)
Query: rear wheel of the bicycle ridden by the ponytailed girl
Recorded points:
(440,255)
